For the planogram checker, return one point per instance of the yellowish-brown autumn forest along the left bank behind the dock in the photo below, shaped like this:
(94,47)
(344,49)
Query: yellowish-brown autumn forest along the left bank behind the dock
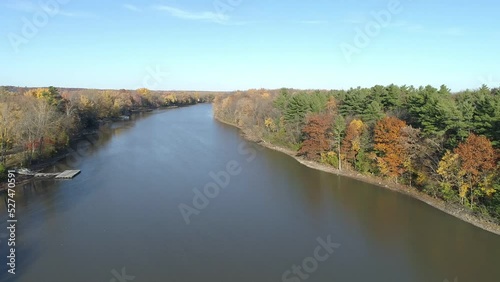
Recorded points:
(38,123)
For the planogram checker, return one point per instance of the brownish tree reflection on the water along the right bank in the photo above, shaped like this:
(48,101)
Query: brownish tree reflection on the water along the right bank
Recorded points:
(406,230)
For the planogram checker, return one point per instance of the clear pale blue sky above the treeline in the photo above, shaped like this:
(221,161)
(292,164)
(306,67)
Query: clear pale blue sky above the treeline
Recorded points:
(242,44)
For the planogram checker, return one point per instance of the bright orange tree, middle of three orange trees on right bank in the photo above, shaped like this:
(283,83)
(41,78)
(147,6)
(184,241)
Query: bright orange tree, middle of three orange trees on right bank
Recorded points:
(391,154)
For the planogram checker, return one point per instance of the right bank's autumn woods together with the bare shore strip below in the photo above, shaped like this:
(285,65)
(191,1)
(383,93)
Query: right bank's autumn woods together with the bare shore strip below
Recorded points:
(320,139)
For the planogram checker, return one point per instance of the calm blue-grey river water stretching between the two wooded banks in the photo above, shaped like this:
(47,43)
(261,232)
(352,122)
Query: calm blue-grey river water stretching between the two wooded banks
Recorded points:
(119,220)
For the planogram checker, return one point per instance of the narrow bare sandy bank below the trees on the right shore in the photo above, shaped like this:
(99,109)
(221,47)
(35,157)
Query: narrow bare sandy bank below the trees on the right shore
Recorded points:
(454,210)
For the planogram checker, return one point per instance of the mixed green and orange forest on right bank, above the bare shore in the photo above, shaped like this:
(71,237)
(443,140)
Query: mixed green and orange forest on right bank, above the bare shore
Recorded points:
(444,144)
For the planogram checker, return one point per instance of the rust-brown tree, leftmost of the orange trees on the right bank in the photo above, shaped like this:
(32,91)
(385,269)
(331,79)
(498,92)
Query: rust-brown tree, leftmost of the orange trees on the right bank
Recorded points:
(316,136)
